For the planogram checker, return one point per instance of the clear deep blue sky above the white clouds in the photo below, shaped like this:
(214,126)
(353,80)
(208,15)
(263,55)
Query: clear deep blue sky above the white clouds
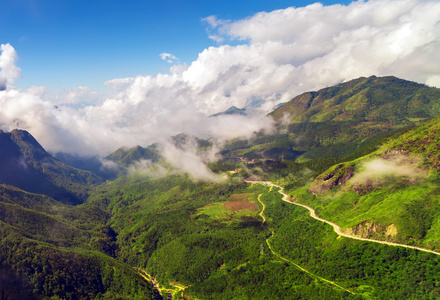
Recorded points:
(73,43)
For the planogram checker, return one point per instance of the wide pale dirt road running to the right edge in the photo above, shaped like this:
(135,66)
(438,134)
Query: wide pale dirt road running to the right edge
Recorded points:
(336,228)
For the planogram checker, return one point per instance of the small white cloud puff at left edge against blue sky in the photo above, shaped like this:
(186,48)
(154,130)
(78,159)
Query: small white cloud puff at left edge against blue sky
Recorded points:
(8,70)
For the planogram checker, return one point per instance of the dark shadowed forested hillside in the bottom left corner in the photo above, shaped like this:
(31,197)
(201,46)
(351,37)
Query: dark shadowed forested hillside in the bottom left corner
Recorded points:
(52,250)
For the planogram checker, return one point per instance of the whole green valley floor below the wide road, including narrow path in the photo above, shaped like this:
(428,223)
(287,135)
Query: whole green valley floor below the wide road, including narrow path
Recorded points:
(211,241)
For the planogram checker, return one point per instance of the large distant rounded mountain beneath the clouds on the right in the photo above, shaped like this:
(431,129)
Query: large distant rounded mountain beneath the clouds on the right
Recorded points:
(335,121)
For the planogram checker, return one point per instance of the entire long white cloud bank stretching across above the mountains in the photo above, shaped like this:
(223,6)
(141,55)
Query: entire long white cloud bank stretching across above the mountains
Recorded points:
(271,57)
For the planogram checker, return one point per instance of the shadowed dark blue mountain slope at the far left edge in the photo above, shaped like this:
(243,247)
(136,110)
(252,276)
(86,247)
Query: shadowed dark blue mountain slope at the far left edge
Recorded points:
(25,164)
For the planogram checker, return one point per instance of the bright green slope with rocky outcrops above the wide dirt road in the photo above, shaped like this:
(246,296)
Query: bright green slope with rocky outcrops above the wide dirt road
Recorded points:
(391,194)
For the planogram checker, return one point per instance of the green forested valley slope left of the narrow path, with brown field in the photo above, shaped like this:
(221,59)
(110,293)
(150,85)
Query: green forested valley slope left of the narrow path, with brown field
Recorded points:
(205,237)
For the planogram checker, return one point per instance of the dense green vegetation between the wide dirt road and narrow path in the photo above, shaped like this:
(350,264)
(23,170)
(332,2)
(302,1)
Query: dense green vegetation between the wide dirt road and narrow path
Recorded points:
(371,271)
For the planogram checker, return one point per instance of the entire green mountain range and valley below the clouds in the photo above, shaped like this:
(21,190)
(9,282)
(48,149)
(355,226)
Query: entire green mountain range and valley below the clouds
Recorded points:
(364,154)
